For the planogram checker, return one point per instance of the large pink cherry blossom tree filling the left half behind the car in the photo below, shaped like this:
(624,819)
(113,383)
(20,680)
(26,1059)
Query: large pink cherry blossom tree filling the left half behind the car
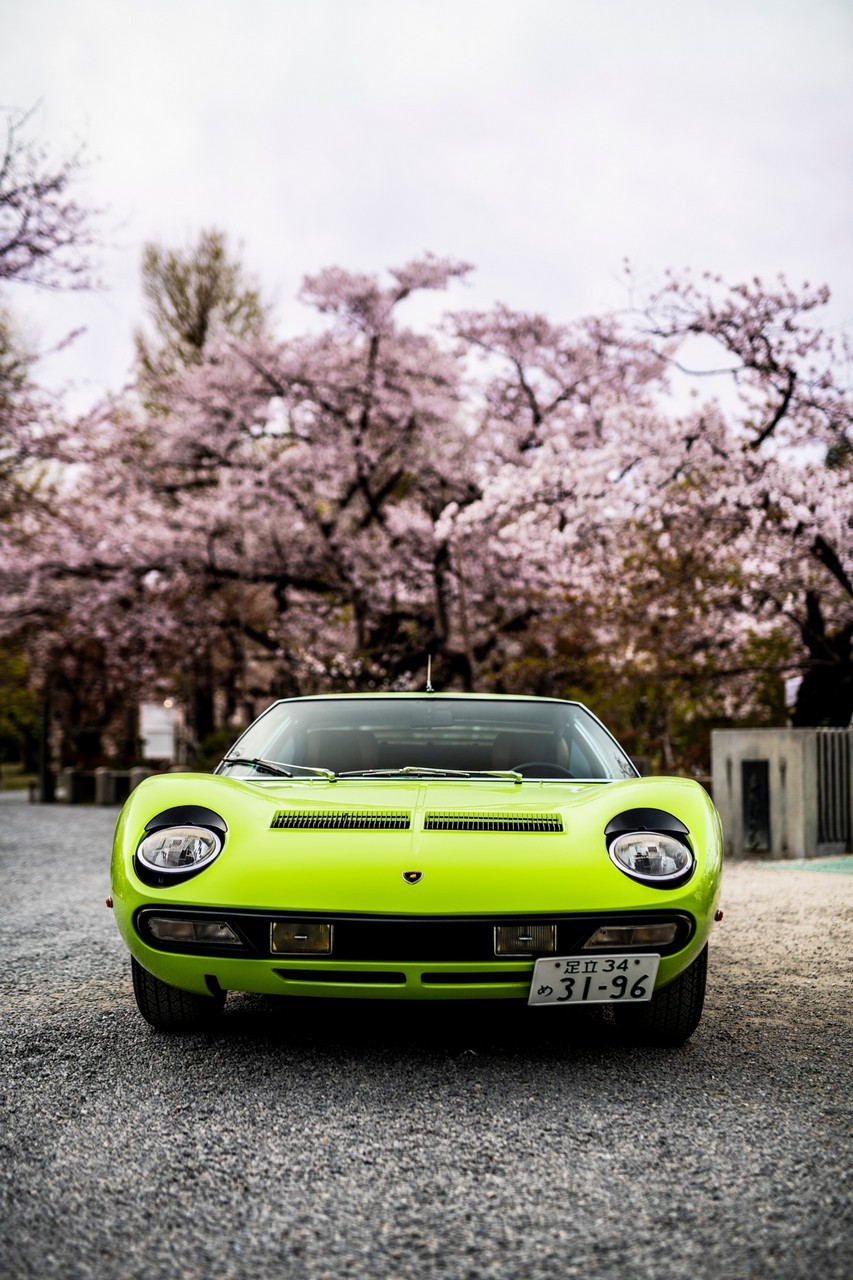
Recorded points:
(280,500)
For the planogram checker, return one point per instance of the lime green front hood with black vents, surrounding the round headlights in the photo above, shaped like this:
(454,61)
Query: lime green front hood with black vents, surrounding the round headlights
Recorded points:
(483,847)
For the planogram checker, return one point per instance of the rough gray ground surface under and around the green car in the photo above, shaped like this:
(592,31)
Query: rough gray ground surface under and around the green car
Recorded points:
(309,1142)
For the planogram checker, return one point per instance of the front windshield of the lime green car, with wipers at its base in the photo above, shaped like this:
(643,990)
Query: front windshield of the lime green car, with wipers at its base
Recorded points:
(430,735)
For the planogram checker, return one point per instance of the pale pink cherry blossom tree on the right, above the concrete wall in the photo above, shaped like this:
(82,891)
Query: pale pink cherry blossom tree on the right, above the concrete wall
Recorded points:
(685,543)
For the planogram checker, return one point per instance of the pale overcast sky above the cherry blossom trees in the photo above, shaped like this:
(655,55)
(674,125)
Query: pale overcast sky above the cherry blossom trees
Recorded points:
(545,141)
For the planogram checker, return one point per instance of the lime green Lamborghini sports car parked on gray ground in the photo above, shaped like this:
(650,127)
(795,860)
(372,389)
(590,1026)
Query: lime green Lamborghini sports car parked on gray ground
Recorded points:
(422,847)
